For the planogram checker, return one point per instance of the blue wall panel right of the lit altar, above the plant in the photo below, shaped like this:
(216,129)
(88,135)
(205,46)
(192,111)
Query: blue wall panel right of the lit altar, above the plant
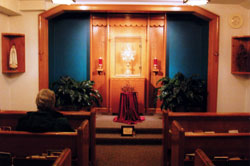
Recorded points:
(187,45)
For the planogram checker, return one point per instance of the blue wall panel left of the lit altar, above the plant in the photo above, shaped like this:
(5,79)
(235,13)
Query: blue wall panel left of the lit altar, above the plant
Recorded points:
(69,38)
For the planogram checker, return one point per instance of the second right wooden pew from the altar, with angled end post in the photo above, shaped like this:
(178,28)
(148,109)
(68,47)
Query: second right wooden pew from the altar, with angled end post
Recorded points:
(216,144)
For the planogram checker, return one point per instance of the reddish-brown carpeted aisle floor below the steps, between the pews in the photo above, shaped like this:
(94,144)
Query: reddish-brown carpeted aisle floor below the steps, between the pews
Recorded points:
(129,155)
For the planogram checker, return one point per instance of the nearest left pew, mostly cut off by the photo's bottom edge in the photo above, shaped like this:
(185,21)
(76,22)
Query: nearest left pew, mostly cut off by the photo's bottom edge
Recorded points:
(64,159)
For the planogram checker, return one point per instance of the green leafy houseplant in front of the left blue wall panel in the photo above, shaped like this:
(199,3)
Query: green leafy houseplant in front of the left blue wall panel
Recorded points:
(74,95)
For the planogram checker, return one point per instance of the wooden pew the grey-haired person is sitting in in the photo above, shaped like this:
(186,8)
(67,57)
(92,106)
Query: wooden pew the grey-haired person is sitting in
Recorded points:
(22,144)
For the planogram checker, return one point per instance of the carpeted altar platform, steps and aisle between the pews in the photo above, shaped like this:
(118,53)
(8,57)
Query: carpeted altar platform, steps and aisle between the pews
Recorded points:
(129,152)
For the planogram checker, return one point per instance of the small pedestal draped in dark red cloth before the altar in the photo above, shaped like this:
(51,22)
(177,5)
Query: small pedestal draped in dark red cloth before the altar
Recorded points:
(128,110)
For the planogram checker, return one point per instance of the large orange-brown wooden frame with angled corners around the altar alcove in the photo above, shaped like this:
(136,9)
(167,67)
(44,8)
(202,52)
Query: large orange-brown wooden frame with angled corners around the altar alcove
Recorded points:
(213,46)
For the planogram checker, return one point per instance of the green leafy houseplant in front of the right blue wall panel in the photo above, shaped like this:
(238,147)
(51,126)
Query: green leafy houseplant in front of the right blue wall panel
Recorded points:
(181,93)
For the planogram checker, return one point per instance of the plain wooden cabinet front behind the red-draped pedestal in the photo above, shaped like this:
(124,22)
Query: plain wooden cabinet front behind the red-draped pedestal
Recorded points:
(116,88)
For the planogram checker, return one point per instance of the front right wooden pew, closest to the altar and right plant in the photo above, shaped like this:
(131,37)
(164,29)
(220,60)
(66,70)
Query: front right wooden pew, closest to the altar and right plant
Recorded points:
(206,121)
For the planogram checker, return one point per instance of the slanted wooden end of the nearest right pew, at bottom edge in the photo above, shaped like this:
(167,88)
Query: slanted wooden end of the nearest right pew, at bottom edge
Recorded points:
(201,159)
